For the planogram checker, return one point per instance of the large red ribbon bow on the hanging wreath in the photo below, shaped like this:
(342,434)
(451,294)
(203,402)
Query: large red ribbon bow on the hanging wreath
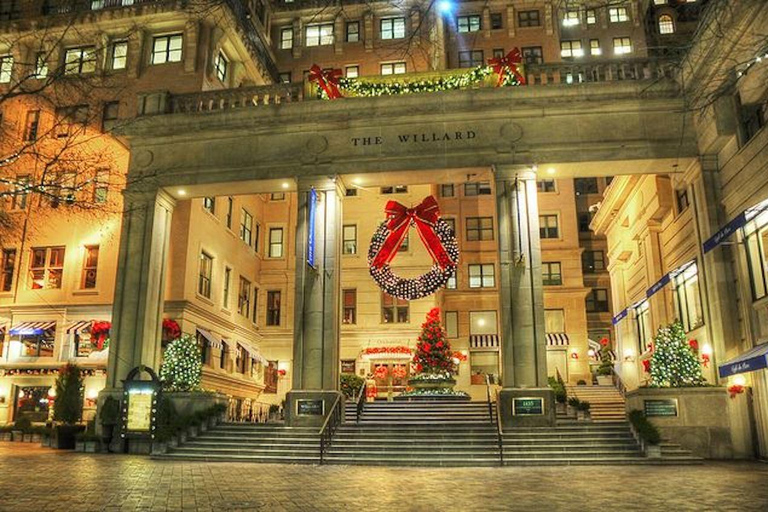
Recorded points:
(425,217)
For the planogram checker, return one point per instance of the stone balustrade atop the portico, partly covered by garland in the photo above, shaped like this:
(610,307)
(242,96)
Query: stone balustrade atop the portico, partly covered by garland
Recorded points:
(563,73)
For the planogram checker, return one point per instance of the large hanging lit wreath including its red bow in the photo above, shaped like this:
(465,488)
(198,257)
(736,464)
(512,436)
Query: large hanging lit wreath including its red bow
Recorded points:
(436,235)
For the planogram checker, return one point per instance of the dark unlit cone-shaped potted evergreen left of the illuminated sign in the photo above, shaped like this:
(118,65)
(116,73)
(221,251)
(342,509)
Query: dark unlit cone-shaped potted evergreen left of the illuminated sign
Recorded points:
(68,407)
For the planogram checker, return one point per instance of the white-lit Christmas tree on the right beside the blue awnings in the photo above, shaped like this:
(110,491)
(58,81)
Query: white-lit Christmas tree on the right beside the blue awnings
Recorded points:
(674,363)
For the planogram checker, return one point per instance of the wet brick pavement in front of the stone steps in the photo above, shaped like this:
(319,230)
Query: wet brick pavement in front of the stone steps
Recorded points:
(40,479)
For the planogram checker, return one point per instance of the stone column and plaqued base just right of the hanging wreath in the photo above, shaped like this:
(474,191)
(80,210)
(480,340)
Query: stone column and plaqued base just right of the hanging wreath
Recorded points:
(521,304)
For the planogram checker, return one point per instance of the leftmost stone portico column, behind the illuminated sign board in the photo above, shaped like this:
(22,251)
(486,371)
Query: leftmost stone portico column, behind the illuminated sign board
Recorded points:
(138,305)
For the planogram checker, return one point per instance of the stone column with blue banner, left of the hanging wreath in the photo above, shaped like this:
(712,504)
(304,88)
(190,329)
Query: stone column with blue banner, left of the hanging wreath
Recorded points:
(316,304)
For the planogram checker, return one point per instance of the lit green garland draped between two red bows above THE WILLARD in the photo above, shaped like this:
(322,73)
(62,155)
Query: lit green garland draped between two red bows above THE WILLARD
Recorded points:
(362,88)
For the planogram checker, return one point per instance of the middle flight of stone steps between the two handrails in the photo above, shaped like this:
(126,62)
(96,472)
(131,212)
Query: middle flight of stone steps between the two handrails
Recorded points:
(417,434)
